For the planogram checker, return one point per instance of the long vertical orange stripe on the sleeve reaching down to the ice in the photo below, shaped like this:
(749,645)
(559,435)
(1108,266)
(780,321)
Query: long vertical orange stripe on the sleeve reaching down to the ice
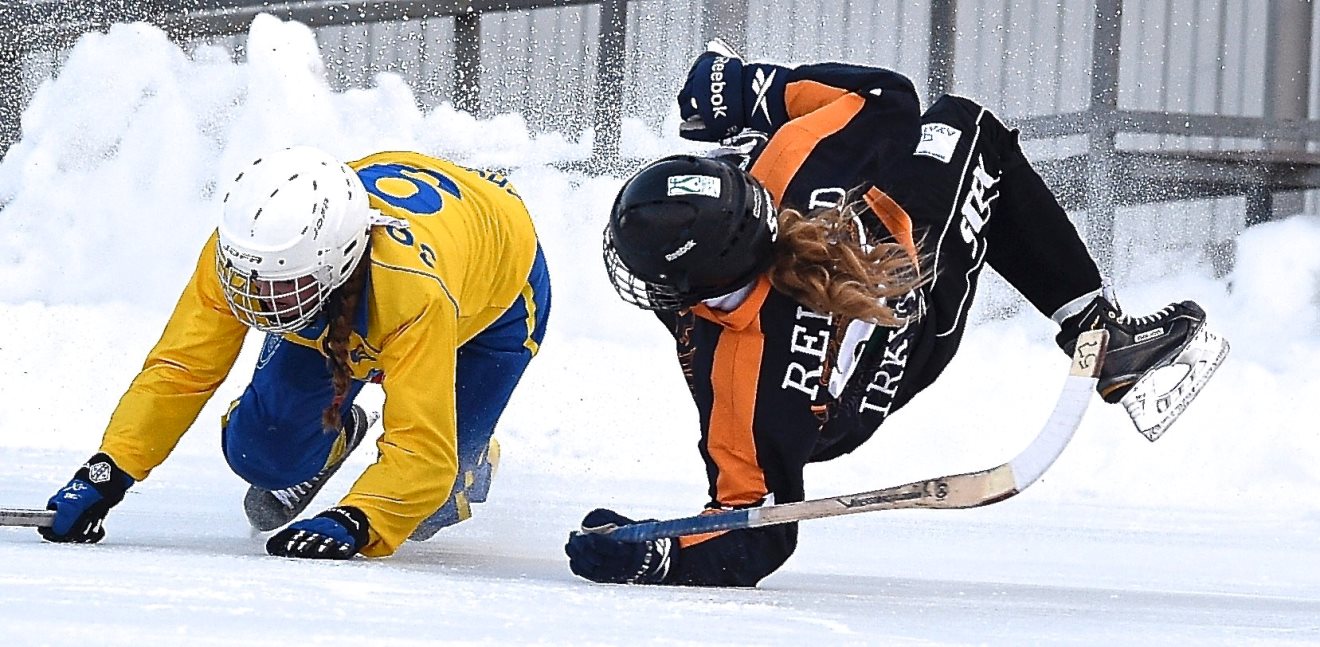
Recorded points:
(732,440)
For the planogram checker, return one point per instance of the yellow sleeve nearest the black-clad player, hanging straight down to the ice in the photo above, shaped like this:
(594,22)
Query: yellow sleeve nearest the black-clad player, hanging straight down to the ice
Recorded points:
(419,450)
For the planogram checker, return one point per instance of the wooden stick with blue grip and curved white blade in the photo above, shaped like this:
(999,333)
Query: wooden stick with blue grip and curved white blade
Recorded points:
(968,491)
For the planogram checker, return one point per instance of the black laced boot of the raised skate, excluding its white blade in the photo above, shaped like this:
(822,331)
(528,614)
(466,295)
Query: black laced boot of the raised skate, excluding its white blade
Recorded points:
(1136,345)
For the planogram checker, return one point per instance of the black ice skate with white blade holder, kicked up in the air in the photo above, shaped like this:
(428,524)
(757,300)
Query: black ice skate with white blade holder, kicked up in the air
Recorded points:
(1156,365)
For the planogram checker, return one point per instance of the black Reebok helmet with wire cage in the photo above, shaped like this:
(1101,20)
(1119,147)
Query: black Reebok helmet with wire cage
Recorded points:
(686,229)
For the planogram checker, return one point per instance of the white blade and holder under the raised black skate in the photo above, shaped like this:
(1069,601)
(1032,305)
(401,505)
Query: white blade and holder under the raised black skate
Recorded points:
(1161,397)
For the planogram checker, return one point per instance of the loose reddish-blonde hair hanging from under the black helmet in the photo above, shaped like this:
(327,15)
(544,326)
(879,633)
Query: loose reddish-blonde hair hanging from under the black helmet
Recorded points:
(820,262)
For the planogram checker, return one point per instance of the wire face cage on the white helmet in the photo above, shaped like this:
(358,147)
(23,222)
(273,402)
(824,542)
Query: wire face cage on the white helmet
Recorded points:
(273,306)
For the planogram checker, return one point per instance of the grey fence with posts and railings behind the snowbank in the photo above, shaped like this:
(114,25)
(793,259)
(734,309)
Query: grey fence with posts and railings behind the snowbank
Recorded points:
(1053,69)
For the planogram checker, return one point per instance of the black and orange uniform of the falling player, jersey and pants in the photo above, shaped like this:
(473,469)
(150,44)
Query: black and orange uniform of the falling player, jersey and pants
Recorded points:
(778,385)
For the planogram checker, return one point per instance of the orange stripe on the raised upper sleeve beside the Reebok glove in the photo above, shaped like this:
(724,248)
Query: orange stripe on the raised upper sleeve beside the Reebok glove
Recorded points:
(795,142)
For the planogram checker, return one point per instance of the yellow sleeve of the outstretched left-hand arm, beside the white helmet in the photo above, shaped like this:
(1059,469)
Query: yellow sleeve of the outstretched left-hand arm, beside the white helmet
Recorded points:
(192,360)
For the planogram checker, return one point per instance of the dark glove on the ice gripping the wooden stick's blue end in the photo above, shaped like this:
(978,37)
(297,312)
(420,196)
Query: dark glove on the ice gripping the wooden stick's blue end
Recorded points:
(603,559)
